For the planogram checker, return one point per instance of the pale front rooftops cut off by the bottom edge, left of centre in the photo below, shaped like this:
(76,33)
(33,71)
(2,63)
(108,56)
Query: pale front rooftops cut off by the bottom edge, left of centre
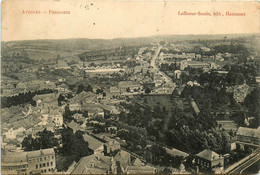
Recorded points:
(120,163)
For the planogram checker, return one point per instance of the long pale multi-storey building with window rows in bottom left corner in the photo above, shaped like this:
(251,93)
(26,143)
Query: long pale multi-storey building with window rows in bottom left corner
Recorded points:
(32,162)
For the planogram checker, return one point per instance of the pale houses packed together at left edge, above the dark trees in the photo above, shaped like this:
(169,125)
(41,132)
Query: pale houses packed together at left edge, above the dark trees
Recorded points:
(20,122)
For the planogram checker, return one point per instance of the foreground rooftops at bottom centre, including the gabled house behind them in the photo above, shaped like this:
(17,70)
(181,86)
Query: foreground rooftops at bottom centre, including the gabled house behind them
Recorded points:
(107,158)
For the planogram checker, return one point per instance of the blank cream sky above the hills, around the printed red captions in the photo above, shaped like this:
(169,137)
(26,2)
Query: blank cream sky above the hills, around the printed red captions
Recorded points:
(117,19)
